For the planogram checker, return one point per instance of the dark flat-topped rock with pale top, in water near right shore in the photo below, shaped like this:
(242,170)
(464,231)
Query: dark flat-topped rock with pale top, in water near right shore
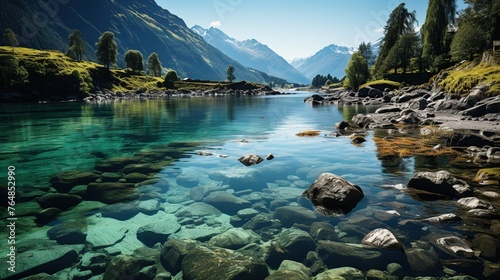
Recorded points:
(440,182)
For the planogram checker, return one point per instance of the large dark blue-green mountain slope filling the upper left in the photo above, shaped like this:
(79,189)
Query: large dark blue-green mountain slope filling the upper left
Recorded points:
(137,24)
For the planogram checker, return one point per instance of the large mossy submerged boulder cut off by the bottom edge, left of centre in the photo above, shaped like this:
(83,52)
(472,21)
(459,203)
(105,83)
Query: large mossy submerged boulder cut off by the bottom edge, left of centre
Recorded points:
(202,263)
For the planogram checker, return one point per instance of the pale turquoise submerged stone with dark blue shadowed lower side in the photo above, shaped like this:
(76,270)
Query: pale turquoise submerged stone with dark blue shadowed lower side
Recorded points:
(157,232)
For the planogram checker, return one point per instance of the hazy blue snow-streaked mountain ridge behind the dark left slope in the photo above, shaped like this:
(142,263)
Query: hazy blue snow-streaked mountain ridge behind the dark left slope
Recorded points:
(251,53)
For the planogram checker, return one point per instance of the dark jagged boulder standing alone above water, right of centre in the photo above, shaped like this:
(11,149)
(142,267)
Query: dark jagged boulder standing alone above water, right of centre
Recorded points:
(333,195)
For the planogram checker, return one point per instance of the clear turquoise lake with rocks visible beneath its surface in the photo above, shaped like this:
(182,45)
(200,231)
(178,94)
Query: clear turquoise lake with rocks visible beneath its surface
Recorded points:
(171,147)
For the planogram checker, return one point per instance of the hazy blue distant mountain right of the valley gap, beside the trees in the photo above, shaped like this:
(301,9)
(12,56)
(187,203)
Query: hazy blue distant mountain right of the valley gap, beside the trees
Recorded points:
(331,60)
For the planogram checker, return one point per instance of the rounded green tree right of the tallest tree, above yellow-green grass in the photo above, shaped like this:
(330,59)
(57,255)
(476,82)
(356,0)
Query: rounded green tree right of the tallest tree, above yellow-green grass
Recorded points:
(468,41)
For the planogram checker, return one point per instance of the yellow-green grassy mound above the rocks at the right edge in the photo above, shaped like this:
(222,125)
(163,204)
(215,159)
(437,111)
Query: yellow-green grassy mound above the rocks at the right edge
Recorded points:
(467,75)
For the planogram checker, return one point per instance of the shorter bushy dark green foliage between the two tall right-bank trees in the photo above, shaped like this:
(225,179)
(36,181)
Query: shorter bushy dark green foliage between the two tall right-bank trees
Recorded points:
(400,55)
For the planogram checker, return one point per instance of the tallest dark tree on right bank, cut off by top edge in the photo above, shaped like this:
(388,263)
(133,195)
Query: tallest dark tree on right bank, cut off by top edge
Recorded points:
(440,15)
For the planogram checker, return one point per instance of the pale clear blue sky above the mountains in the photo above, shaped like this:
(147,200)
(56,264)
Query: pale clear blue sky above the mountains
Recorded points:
(295,28)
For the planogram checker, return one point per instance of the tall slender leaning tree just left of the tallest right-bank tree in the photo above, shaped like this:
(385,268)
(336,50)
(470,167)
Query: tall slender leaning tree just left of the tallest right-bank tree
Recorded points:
(399,23)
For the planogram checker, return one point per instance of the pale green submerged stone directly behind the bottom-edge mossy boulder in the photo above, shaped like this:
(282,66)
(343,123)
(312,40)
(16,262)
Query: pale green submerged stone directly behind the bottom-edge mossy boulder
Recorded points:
(234,238)
